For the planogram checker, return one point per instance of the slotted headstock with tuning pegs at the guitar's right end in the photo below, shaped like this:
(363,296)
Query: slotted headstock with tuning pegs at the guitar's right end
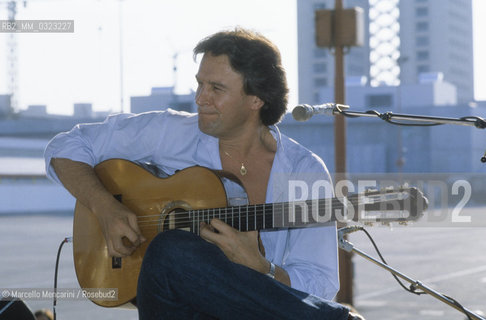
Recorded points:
(390,204)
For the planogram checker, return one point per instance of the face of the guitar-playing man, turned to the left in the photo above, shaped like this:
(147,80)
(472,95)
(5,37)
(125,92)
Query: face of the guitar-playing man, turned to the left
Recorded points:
(223,106)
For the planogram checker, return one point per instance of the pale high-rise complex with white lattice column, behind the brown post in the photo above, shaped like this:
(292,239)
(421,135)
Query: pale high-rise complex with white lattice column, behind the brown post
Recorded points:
(435,36)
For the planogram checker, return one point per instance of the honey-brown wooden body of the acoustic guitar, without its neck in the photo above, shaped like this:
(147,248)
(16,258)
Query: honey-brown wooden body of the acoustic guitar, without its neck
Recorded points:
(149,197)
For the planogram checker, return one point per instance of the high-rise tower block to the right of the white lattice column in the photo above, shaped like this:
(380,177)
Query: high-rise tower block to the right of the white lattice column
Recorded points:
(437,36)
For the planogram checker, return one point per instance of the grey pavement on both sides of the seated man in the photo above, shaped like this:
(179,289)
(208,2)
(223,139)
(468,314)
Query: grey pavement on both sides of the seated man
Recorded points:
(451,260)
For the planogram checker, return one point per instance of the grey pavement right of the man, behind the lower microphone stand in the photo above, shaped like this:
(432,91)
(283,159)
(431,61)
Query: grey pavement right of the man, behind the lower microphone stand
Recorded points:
(450,260)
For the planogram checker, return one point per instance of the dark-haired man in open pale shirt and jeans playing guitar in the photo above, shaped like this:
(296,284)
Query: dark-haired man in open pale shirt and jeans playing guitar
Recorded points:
(223,273)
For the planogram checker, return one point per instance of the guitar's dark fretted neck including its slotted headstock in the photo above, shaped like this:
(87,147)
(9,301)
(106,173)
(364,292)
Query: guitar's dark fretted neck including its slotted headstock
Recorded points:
(375,206)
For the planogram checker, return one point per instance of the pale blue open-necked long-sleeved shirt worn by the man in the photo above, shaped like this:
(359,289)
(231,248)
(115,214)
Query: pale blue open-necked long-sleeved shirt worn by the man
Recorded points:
(173,141)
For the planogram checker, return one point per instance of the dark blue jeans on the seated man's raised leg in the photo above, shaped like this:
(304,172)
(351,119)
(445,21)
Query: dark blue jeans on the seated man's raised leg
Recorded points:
(185,277)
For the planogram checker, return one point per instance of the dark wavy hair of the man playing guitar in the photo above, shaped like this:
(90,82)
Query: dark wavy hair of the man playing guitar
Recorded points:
(258,60)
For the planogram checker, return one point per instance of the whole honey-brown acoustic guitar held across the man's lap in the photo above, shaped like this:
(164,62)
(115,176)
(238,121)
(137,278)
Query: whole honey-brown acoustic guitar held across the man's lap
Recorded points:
(196,194)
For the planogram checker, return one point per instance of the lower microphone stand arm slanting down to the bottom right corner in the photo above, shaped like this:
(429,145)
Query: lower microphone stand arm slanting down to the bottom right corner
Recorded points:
(349,247)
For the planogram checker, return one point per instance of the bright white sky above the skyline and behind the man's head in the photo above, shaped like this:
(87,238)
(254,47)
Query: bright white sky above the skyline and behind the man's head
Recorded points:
(59,70)
